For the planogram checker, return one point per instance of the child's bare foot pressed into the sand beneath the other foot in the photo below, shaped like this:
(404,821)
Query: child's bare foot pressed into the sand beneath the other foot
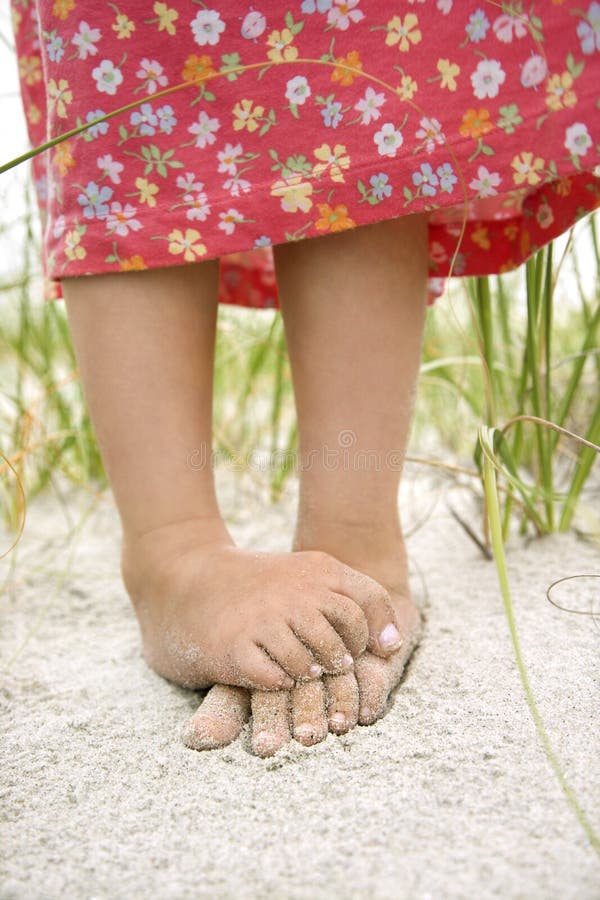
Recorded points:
(336,703)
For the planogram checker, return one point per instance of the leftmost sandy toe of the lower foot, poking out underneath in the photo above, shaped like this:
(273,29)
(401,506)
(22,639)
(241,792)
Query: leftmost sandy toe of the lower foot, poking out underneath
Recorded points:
(219,719)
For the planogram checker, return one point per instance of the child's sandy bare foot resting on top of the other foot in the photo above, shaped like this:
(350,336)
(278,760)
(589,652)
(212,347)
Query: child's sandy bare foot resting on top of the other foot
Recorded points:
(210,612)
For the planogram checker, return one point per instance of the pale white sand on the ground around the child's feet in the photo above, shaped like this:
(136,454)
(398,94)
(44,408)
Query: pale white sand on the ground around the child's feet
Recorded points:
(449,796)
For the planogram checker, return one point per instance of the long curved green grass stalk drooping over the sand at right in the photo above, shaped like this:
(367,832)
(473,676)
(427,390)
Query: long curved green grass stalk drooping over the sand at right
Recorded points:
(493,512)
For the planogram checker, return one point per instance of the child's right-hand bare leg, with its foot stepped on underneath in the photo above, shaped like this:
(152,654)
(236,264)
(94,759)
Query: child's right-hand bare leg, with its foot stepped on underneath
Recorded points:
(353,306)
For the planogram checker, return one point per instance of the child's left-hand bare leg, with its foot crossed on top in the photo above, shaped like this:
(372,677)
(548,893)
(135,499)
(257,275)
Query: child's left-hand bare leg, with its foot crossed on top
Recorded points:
(208,611)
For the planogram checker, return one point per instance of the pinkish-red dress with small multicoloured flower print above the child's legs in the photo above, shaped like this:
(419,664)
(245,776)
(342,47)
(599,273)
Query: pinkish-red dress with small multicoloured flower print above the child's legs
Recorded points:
(252,125)
